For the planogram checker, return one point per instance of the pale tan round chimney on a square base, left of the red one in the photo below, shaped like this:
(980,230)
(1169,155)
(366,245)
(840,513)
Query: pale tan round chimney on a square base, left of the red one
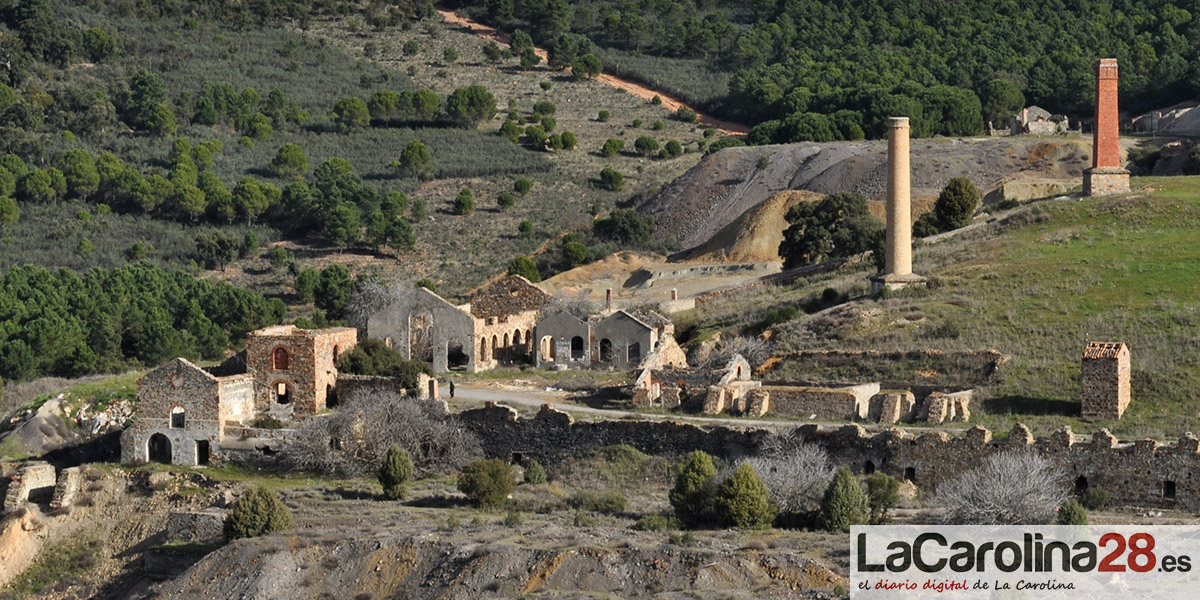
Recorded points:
(898,273)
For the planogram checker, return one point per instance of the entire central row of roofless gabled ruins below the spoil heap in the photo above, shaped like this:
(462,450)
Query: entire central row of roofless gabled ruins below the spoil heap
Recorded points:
(513,322)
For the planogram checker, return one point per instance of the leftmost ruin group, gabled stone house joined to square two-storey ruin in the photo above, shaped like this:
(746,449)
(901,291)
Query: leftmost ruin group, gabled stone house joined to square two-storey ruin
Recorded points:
(188,415)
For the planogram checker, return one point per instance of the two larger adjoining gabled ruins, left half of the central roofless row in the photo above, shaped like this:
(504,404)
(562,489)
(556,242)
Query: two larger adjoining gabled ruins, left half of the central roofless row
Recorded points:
(495,327)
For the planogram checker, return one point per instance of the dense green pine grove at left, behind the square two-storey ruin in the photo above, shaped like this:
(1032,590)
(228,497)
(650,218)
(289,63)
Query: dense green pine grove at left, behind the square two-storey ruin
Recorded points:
(62,323)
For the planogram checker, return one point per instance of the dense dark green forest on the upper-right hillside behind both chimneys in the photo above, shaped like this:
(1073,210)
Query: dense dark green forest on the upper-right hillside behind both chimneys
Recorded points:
(830,70)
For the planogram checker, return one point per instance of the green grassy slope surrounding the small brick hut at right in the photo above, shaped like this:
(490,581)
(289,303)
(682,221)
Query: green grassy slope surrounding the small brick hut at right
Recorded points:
(1058,275)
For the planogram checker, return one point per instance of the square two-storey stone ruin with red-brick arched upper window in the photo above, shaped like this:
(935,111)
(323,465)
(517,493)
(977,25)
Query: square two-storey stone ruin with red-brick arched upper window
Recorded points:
(311,367)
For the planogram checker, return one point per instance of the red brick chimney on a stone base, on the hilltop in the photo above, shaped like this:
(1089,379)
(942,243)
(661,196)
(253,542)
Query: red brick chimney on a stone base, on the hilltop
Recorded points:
(1106,177)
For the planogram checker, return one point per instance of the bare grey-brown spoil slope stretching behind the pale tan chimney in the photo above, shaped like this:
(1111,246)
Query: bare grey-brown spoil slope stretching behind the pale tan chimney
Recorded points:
(728,184)
